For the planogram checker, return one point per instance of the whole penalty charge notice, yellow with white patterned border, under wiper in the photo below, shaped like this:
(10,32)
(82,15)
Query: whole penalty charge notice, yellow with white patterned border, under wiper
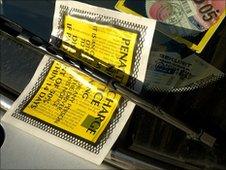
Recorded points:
(71,110)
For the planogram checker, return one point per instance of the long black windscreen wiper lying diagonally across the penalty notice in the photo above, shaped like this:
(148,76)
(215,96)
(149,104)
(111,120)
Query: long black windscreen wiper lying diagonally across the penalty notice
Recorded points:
(25,37)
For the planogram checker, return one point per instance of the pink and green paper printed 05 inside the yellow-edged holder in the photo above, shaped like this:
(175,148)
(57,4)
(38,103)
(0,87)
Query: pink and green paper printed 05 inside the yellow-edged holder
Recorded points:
(196,15)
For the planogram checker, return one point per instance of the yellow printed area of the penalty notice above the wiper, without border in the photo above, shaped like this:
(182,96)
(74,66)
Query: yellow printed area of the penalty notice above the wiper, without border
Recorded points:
(111,45)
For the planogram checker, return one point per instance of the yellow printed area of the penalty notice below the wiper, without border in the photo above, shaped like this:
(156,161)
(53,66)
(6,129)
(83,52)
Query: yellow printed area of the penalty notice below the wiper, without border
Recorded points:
(74,102)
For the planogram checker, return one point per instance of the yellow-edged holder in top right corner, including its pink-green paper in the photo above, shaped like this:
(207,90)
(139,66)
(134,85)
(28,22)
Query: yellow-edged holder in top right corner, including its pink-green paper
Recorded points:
(190,22)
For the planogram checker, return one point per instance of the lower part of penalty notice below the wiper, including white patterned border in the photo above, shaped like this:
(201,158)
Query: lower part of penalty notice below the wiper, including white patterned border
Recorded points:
(71,110)
